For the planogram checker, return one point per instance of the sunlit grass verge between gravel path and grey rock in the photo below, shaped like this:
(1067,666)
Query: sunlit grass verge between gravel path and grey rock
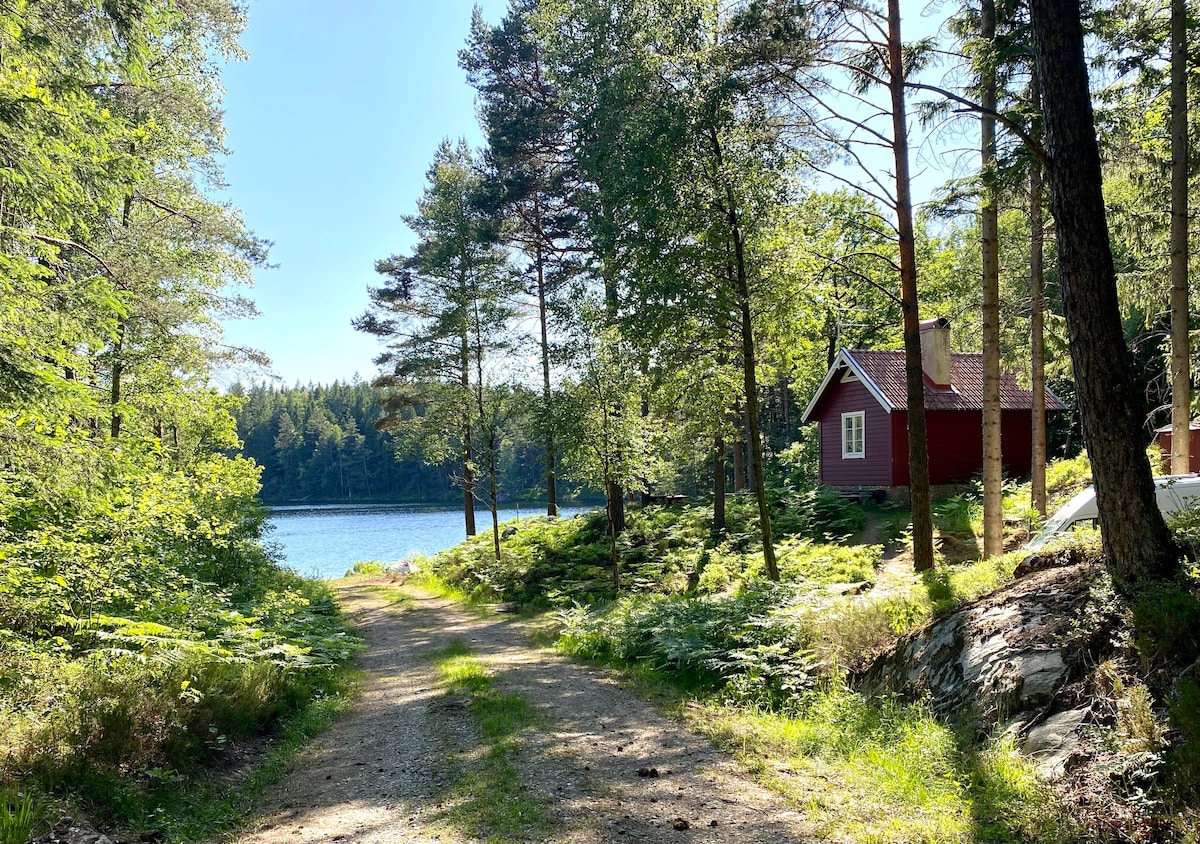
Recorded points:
(883,771)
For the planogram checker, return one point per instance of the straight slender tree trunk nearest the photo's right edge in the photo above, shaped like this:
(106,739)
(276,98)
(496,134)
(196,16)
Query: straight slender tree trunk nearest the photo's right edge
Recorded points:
(1181,346)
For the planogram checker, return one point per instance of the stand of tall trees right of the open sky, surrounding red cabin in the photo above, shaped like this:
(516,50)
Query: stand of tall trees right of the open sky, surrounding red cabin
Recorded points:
(682,213)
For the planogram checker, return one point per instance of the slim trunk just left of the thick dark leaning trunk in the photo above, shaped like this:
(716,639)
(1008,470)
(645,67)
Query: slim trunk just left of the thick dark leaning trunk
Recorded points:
(1037,328)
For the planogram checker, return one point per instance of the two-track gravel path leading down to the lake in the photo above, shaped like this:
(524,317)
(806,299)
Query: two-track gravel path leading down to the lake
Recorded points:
(381,775)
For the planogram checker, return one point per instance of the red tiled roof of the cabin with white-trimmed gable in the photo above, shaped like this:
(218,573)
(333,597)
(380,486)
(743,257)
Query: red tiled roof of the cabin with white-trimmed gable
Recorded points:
(885,375)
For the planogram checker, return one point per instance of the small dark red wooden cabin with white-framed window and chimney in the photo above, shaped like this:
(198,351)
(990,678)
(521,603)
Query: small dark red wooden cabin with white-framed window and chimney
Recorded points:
(862,412)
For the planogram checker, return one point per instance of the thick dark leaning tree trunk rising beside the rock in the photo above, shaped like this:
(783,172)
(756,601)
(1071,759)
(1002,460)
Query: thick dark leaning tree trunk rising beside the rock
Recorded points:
(1137,544)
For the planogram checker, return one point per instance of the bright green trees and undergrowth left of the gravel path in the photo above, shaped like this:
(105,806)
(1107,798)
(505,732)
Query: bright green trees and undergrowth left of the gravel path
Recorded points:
(143,626)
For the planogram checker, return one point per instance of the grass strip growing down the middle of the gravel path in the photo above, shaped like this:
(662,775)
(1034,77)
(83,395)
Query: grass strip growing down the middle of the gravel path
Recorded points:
(489,801)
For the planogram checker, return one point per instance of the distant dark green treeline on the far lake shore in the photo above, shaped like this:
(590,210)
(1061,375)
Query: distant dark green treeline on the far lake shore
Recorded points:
(320,444)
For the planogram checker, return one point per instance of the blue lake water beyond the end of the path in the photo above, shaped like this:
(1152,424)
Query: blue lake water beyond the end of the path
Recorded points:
(326,541)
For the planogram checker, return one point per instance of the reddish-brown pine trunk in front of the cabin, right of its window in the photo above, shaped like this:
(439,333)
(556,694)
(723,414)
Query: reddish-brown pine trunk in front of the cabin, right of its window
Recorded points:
(915,378)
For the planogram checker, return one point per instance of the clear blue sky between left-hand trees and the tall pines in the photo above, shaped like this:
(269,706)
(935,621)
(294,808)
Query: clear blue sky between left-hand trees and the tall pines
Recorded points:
(332,124)
